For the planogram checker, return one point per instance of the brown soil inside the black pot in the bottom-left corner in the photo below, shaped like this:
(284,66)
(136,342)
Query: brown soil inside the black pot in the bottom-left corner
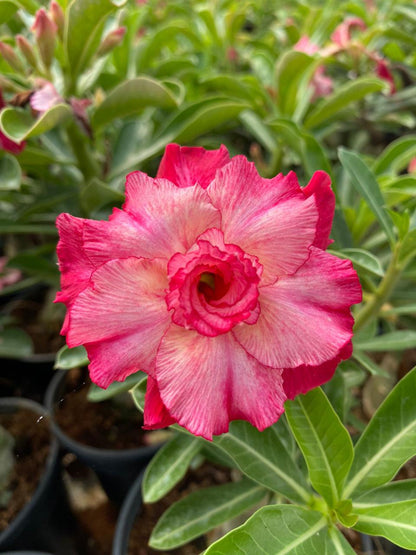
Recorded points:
(31,449)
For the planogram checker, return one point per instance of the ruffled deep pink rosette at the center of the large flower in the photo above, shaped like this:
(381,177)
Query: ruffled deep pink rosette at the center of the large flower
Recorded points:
(213,286)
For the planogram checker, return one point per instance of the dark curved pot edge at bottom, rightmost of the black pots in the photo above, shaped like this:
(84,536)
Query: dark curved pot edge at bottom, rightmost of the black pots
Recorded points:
(128,513)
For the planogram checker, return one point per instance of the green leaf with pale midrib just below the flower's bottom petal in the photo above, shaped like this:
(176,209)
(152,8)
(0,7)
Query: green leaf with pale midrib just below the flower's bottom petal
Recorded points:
(264,458)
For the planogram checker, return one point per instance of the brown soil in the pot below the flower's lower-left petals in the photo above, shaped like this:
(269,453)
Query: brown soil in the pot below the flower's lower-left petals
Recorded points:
(113,424)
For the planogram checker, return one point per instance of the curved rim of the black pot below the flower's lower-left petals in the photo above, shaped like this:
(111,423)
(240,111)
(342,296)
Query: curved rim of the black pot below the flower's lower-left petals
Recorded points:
(82,448)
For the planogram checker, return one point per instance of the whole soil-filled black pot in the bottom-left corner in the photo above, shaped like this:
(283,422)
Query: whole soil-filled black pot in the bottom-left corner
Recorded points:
(34,512)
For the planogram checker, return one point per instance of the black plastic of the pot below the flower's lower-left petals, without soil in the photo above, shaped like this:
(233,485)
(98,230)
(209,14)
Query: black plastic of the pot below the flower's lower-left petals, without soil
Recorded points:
(115,468)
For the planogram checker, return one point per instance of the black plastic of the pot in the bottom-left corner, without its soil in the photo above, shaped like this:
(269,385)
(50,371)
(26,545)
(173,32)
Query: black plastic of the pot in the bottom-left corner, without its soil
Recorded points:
(45,522)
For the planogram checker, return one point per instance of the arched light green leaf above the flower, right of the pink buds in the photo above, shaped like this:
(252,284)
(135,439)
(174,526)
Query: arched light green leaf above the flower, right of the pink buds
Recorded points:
(130,97)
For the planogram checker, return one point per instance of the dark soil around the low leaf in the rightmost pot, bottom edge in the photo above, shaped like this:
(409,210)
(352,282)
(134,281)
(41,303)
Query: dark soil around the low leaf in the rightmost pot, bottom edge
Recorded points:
(204,476)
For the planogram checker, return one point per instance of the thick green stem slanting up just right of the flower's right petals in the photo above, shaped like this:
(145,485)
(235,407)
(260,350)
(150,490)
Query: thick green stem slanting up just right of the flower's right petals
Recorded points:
(382,293)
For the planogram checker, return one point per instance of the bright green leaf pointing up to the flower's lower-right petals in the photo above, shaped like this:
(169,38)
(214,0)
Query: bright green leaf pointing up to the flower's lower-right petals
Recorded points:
(325,443)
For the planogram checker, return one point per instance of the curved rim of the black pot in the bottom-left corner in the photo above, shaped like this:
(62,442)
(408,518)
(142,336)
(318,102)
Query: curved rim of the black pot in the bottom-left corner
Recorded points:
(39,409)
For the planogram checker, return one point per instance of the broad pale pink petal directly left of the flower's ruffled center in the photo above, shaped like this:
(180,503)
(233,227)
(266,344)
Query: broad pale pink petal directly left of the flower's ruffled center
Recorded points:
(136,309)
